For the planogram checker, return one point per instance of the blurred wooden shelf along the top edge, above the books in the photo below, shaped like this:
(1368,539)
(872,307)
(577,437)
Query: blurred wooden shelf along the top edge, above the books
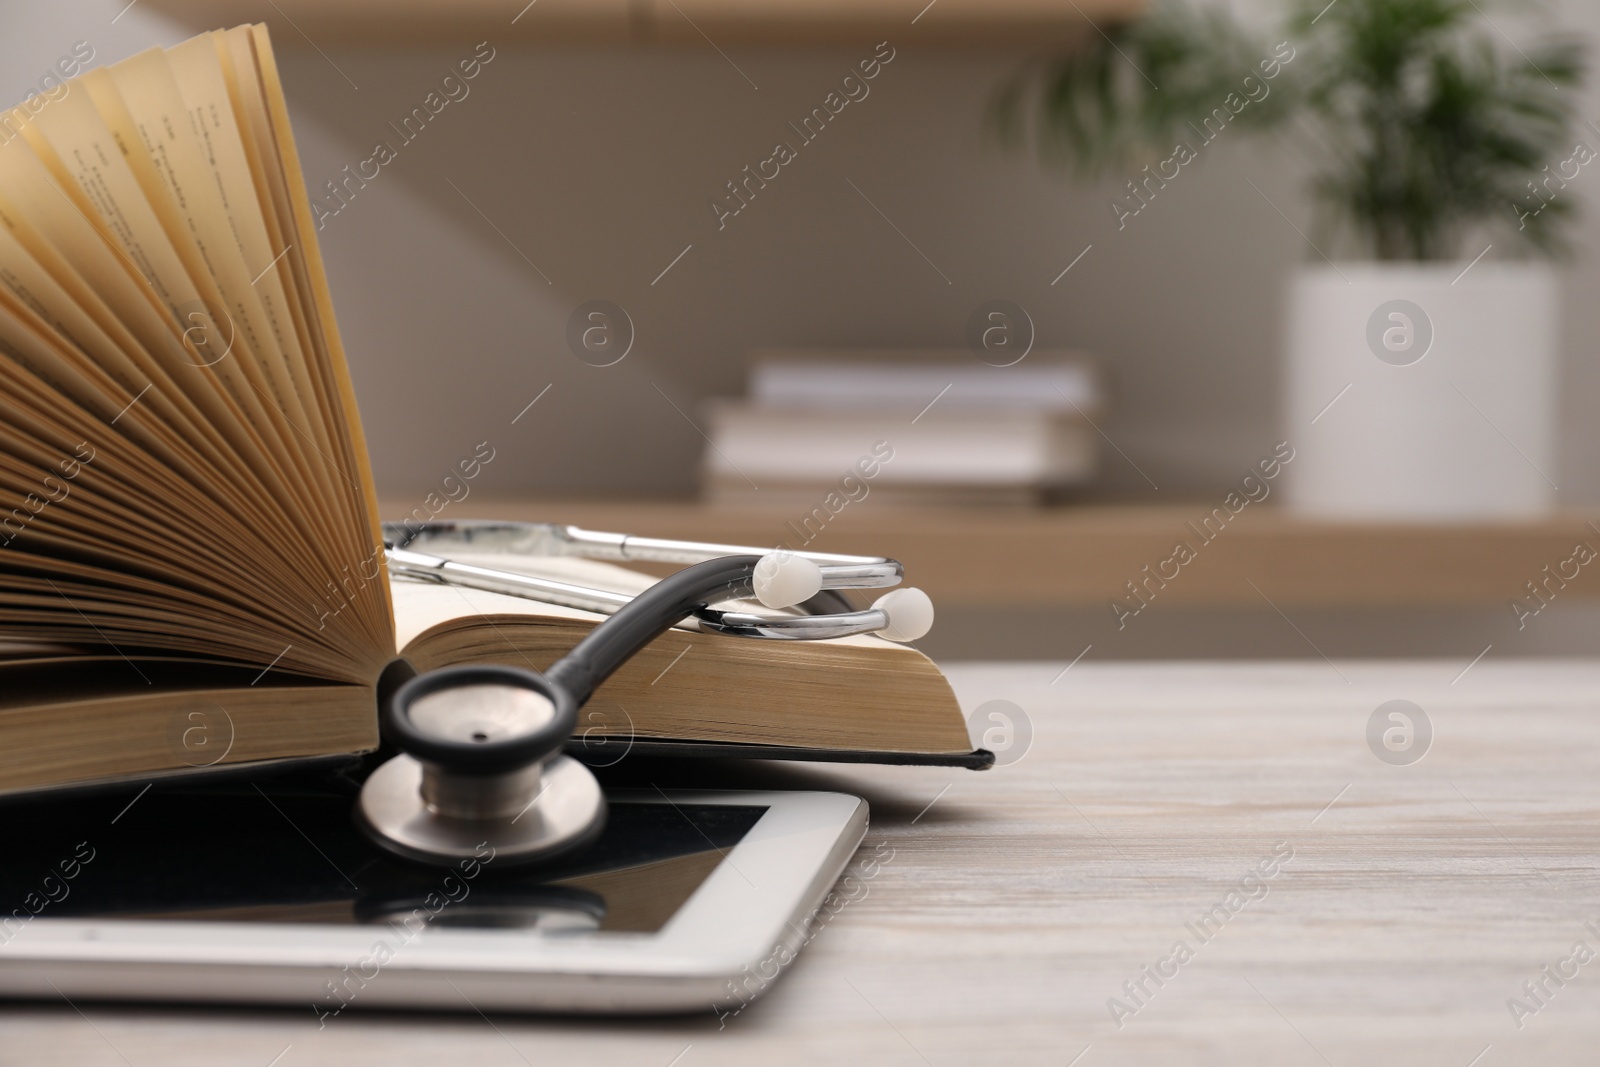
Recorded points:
(694,23)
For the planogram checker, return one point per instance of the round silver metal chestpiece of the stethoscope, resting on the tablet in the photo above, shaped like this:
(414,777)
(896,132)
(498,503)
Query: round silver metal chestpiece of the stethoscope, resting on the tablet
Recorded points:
(481,770)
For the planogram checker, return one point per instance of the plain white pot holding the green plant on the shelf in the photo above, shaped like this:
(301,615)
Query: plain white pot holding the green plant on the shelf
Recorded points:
(1417,393)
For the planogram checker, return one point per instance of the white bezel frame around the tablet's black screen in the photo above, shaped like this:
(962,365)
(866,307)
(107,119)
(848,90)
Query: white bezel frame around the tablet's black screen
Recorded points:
(745,921)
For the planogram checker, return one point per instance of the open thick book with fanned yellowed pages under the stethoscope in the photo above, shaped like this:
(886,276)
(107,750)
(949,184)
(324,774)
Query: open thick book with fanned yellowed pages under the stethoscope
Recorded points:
(191,564)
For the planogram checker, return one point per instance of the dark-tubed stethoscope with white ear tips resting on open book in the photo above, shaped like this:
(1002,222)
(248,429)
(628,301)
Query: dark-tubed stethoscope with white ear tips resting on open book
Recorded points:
(481,761)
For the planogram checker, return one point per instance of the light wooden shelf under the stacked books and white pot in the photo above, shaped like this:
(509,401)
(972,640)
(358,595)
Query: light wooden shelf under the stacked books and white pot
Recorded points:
(1082,556)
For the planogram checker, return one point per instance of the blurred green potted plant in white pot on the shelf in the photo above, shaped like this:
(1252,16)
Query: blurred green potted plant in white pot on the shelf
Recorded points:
(1423,326)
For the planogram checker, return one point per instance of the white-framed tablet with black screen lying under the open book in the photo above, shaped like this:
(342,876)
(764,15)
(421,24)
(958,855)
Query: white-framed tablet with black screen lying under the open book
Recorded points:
(690,901)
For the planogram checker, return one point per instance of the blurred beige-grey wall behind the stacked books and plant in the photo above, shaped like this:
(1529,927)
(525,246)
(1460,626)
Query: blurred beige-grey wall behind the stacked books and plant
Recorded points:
(598,167)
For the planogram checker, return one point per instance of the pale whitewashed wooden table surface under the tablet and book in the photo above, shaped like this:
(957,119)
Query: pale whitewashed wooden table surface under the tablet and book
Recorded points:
(1412,906)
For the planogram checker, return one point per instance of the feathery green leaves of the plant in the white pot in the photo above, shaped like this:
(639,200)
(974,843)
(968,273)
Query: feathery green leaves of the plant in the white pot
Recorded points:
(1430,126)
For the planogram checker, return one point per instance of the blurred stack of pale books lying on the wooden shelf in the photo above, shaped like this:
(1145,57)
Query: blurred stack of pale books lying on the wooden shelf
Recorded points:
(922,428)
